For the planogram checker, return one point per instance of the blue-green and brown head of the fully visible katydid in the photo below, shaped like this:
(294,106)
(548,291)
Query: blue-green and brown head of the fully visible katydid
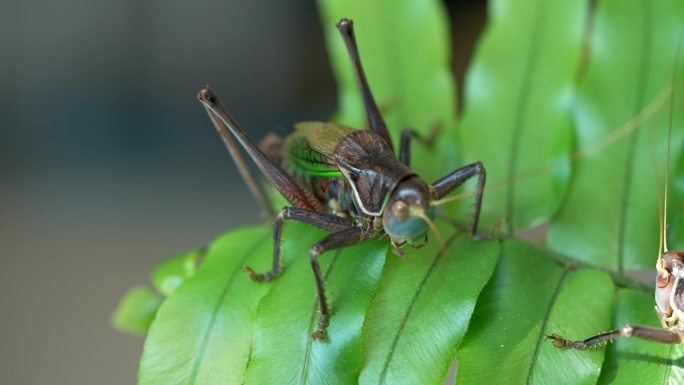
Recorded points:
(408,215)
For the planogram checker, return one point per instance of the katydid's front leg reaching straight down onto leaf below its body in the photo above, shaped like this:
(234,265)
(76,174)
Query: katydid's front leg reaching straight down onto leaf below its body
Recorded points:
(346,237)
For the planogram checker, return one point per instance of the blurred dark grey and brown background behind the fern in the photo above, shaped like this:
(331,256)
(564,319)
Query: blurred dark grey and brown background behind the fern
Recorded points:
(108,164)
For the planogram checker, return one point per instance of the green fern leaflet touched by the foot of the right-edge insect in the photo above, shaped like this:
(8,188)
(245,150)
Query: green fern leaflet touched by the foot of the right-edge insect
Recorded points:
(531,296)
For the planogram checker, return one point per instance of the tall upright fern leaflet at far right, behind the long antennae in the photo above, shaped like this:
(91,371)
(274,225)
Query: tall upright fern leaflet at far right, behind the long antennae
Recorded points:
(610,217)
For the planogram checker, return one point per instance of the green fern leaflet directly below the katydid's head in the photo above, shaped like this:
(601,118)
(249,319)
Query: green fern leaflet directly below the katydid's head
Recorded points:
(422,309)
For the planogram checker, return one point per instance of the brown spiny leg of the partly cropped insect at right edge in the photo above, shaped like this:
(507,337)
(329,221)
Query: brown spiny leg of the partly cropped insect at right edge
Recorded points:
(649,333)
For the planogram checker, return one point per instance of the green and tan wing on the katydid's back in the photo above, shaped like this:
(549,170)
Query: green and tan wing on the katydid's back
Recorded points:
(311,148)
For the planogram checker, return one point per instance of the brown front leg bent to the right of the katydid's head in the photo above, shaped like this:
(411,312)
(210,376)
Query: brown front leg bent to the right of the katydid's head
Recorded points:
(447,184)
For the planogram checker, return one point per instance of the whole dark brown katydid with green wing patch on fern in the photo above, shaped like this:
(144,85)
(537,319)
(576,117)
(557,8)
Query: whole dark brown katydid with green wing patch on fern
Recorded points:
(345,181)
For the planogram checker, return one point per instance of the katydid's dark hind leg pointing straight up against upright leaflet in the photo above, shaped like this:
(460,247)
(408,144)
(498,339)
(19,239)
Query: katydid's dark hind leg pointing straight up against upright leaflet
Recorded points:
(375,120)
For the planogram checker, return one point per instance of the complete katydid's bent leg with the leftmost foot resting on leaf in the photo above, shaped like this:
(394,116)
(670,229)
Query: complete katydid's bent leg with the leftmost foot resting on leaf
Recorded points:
(321,220)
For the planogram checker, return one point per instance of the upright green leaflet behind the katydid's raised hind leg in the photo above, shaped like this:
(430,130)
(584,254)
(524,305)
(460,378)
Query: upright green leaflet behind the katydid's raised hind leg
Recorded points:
(406,52)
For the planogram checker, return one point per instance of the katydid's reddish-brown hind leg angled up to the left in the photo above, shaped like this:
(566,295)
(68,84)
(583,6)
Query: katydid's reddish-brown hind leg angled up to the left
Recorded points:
(295,194)
